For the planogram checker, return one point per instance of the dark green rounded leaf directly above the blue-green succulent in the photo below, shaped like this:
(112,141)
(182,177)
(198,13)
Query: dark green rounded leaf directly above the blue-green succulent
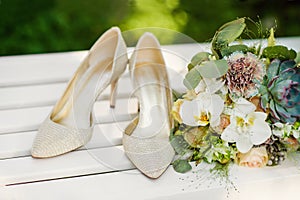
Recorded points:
(280,52)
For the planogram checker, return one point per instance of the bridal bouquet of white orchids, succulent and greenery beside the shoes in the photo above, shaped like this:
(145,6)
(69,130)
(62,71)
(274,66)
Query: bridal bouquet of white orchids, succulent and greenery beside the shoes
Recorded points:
(242,103)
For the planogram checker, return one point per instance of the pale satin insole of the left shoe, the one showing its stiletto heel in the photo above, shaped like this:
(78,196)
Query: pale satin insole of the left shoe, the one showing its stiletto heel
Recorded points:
(77,110)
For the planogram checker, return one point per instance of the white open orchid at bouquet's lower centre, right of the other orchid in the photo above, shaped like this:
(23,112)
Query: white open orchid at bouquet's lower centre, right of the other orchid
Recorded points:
(247,130)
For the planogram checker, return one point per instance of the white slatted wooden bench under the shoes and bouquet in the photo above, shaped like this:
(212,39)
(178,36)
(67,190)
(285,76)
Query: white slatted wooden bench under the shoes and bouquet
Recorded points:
(29,87)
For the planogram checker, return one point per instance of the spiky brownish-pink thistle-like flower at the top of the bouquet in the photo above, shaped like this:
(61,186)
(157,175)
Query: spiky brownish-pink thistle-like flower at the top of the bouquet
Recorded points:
(243,73)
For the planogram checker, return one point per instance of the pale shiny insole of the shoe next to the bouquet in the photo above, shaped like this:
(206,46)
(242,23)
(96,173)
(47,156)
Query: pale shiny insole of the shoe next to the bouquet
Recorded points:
(151,90)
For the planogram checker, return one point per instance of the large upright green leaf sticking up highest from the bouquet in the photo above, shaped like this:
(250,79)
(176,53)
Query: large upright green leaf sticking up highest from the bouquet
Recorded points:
(226,34)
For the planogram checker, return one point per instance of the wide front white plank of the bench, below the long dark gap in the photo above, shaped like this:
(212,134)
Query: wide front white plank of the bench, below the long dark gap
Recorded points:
(267,183)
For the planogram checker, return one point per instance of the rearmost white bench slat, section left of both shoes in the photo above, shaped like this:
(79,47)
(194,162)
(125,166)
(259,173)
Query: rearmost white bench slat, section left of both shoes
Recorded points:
(39,68)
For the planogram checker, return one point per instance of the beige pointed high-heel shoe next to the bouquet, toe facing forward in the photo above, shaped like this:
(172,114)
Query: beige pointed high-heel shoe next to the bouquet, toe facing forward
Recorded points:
(146,139)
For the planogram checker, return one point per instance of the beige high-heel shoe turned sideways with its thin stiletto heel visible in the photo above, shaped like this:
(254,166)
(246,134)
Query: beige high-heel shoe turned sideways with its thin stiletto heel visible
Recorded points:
(70,124)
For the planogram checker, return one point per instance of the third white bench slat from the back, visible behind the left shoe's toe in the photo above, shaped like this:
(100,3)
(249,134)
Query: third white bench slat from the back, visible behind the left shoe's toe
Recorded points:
(28,119)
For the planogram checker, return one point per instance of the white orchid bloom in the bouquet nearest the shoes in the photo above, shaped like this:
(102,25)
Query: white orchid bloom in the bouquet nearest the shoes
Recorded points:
(205,109)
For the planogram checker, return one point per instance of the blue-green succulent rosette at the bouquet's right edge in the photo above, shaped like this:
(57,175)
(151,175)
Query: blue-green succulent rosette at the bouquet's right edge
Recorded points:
(281,91)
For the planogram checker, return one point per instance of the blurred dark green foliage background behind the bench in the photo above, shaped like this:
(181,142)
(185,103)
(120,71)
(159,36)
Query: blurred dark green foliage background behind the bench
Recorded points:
(63,25)
